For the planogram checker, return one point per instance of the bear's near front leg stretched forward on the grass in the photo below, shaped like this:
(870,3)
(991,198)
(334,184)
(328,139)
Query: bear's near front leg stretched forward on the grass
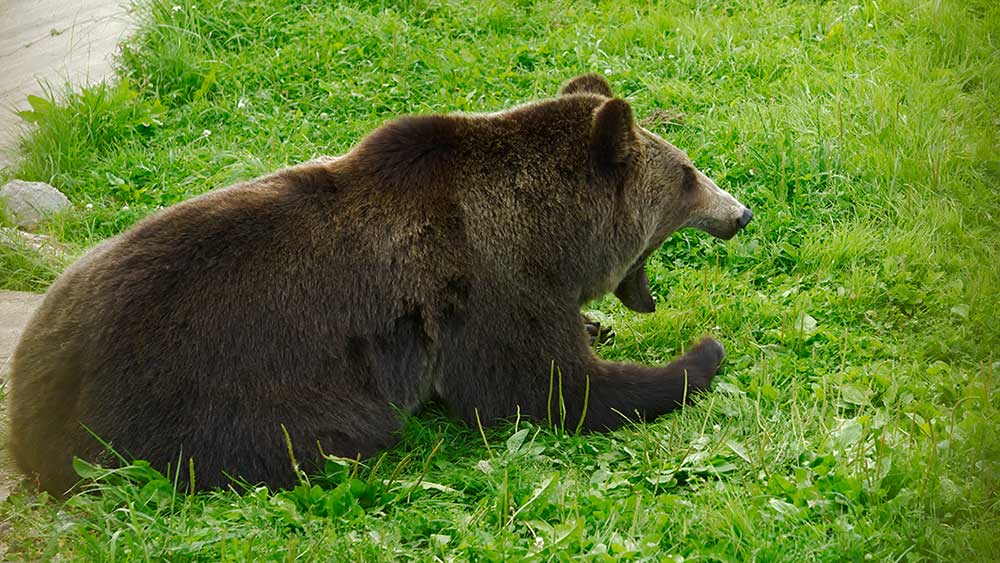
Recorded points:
(547,370)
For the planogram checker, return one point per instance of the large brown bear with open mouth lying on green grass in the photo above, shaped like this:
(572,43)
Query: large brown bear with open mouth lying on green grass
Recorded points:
(444,257)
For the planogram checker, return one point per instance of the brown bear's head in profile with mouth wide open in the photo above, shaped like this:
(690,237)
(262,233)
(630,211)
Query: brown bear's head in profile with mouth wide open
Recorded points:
(657,179)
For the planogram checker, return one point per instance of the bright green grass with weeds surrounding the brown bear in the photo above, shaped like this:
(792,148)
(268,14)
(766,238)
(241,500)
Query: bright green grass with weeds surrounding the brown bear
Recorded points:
(857,415)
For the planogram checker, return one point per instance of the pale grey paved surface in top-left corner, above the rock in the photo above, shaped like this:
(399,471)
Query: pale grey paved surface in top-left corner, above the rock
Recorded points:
(54,41)
